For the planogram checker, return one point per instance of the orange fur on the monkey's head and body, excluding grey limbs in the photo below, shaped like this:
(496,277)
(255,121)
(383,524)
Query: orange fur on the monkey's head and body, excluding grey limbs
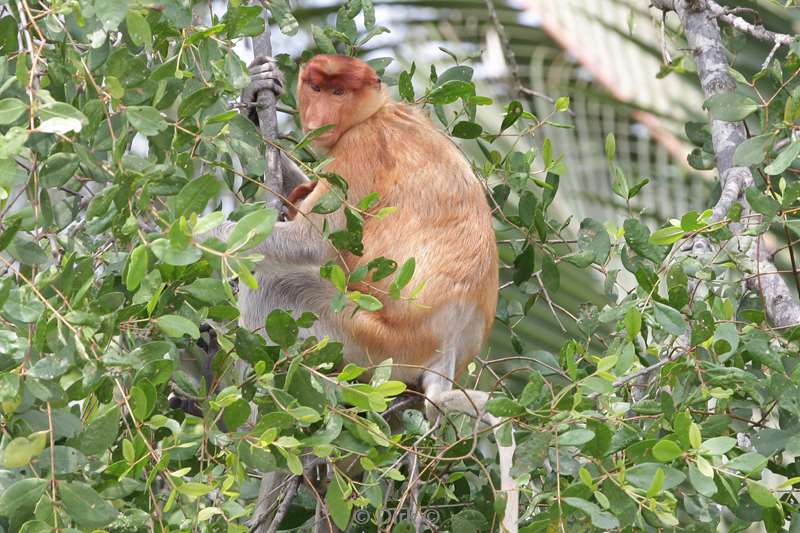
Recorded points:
(442,217)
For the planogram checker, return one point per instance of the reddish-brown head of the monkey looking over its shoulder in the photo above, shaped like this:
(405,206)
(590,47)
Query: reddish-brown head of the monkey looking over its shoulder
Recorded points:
(338,90)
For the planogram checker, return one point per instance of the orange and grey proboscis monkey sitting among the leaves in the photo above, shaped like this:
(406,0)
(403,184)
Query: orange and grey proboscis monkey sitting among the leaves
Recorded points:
(442,219)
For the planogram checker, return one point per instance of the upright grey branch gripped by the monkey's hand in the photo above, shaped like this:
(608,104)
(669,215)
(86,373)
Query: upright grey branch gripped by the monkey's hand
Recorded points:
(268,119)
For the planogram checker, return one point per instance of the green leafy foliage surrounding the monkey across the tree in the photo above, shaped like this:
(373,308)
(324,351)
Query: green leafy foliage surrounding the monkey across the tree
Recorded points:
(117,138)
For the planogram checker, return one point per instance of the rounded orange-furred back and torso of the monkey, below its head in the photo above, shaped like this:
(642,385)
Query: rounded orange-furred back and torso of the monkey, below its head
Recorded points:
(442,219)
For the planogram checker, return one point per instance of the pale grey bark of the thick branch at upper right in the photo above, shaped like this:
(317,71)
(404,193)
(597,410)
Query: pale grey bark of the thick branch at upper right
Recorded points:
(699,20)
